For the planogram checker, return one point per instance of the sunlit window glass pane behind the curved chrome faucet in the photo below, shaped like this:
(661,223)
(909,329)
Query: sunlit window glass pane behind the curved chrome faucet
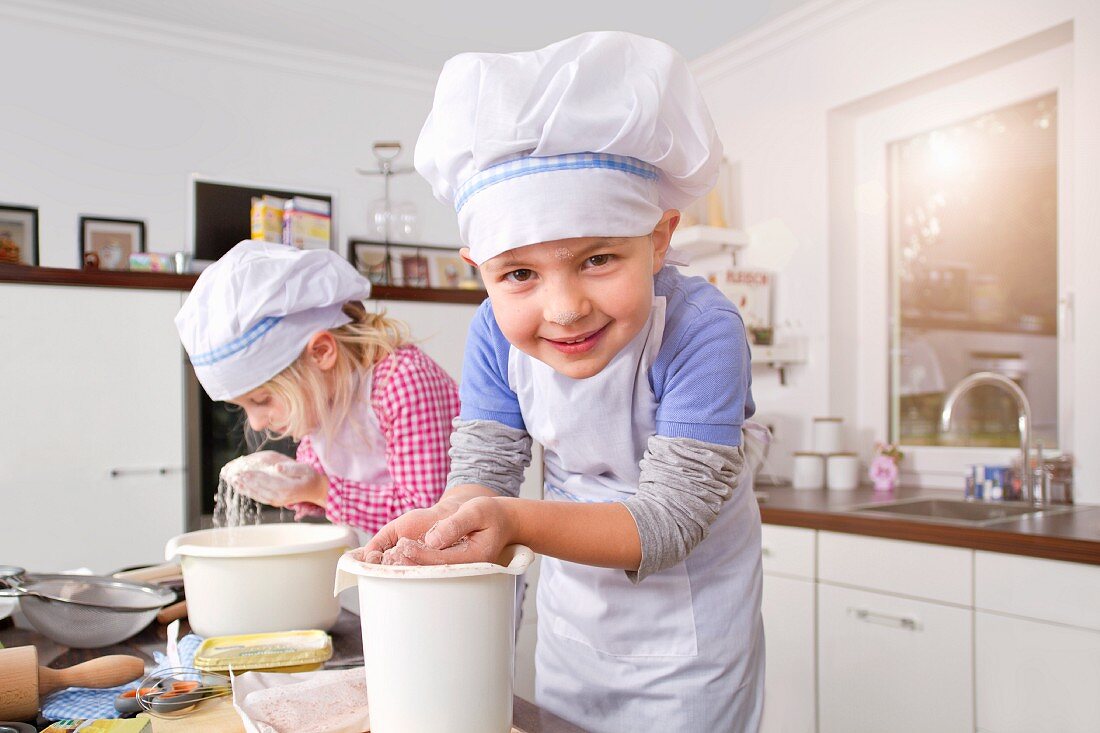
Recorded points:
(973,237)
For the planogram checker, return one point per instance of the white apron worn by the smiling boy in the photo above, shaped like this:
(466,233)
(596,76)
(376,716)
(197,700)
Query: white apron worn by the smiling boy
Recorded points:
(680,652)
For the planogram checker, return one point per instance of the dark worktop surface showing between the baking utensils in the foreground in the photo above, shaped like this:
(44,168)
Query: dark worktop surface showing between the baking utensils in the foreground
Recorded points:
(347,647)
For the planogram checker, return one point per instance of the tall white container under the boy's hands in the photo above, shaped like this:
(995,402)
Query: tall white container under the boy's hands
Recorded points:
(438,643)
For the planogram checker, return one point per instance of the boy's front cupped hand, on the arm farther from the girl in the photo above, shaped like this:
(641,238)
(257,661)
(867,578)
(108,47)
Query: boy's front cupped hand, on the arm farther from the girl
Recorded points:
(478,532)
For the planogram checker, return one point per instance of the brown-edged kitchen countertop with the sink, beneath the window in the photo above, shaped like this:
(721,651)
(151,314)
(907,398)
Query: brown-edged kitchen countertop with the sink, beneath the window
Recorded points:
(1073,537)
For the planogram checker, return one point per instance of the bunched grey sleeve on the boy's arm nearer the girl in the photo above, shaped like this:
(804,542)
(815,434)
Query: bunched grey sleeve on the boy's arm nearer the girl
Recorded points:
(489,454)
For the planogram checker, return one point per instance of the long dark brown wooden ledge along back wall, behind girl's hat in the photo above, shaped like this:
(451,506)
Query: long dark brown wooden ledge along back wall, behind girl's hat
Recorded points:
(23,275)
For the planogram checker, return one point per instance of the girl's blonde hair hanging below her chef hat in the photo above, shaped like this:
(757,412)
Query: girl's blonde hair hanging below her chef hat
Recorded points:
(321,401)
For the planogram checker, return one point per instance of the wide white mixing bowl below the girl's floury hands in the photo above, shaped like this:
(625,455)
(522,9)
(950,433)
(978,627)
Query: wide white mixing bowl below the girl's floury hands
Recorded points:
(261,578)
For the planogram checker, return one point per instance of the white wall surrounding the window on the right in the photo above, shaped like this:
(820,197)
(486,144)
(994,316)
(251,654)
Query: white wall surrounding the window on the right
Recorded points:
(775,95)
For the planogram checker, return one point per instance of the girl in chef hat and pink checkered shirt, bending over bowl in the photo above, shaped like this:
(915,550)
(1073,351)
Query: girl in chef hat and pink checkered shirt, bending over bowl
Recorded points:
(283,334)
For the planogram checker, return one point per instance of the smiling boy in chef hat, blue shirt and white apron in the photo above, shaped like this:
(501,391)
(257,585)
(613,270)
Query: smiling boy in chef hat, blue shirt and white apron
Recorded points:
(567,168)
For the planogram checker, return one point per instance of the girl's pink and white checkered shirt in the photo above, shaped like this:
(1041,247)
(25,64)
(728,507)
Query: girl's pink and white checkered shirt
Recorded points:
(415,402)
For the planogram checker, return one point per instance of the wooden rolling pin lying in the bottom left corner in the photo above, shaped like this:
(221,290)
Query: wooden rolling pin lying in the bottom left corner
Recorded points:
(24,683)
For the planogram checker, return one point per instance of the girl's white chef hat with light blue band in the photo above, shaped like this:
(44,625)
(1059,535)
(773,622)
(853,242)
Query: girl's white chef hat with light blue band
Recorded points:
(251,313)
